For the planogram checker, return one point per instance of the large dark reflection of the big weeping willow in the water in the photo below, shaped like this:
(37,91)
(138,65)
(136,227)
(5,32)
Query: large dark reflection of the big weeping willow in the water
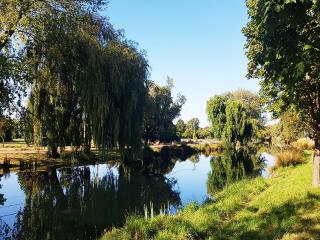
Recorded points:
(71,203)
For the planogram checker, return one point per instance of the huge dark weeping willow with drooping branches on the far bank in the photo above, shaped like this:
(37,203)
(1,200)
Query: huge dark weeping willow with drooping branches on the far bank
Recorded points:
(89,86)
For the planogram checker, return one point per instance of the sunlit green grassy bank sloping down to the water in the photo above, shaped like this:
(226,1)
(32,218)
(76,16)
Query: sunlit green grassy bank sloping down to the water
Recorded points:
(284,206)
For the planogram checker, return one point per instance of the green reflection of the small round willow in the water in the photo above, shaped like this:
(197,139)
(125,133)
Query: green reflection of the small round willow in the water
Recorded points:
(233,165)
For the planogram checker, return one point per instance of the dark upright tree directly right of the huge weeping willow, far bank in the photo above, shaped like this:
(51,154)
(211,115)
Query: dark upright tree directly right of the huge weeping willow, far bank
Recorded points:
(161,110)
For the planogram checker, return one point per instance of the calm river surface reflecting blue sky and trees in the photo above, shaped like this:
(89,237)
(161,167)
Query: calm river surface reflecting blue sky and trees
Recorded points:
(81,202)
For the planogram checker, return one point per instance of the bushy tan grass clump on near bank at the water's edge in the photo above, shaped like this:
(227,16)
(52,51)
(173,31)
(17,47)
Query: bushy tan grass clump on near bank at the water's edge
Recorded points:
(290,157)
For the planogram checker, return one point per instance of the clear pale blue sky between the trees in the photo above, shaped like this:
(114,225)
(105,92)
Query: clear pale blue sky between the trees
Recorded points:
(198,43)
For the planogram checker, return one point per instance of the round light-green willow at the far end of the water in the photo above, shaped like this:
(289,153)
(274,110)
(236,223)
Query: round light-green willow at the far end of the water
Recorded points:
(235,116)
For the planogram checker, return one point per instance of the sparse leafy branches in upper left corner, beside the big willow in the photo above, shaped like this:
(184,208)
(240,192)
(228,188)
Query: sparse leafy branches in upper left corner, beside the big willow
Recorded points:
(21,21)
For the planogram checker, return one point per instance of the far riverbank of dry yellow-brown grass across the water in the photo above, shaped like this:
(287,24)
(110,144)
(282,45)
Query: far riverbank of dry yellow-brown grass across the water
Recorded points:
(18,153)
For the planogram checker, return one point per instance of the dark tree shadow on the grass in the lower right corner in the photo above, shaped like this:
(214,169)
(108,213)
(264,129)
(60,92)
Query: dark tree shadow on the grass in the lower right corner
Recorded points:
(300,218)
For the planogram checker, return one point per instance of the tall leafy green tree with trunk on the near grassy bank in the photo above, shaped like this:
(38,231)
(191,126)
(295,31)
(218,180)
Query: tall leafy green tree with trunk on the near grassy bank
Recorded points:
(283,52)
